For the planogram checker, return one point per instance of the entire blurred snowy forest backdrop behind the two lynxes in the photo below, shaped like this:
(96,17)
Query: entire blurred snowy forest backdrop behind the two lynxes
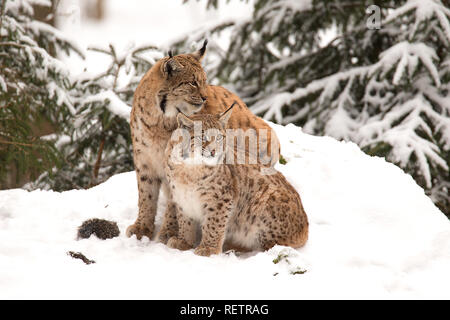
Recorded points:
(375,75)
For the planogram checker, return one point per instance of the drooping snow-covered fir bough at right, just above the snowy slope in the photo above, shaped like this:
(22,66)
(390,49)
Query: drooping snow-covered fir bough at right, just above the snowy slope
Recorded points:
(405,110)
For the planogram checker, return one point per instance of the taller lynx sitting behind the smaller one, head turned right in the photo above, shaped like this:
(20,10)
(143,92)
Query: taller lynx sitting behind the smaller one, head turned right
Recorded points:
(176,84)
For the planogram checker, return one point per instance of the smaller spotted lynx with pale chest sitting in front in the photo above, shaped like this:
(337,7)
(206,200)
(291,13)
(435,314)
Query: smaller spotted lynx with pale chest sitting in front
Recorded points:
(235,203)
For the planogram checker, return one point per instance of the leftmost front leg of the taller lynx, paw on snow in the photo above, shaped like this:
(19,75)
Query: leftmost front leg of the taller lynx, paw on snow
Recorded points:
(148,187)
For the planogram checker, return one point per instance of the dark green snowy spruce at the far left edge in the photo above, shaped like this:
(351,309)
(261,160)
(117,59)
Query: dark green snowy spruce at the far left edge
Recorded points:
(33,88)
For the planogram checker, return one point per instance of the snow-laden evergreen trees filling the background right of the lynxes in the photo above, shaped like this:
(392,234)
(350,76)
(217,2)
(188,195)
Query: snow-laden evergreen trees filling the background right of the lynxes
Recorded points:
(386,89)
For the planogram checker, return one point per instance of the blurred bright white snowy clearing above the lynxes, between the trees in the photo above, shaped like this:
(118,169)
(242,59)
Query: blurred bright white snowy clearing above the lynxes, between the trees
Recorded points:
(159,23)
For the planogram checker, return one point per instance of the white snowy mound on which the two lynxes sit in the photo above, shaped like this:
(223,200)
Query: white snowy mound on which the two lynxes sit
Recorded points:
(373,234)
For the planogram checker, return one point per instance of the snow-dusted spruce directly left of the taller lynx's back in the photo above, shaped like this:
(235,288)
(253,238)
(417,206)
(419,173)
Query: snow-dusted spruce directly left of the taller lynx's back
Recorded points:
(97,144)
